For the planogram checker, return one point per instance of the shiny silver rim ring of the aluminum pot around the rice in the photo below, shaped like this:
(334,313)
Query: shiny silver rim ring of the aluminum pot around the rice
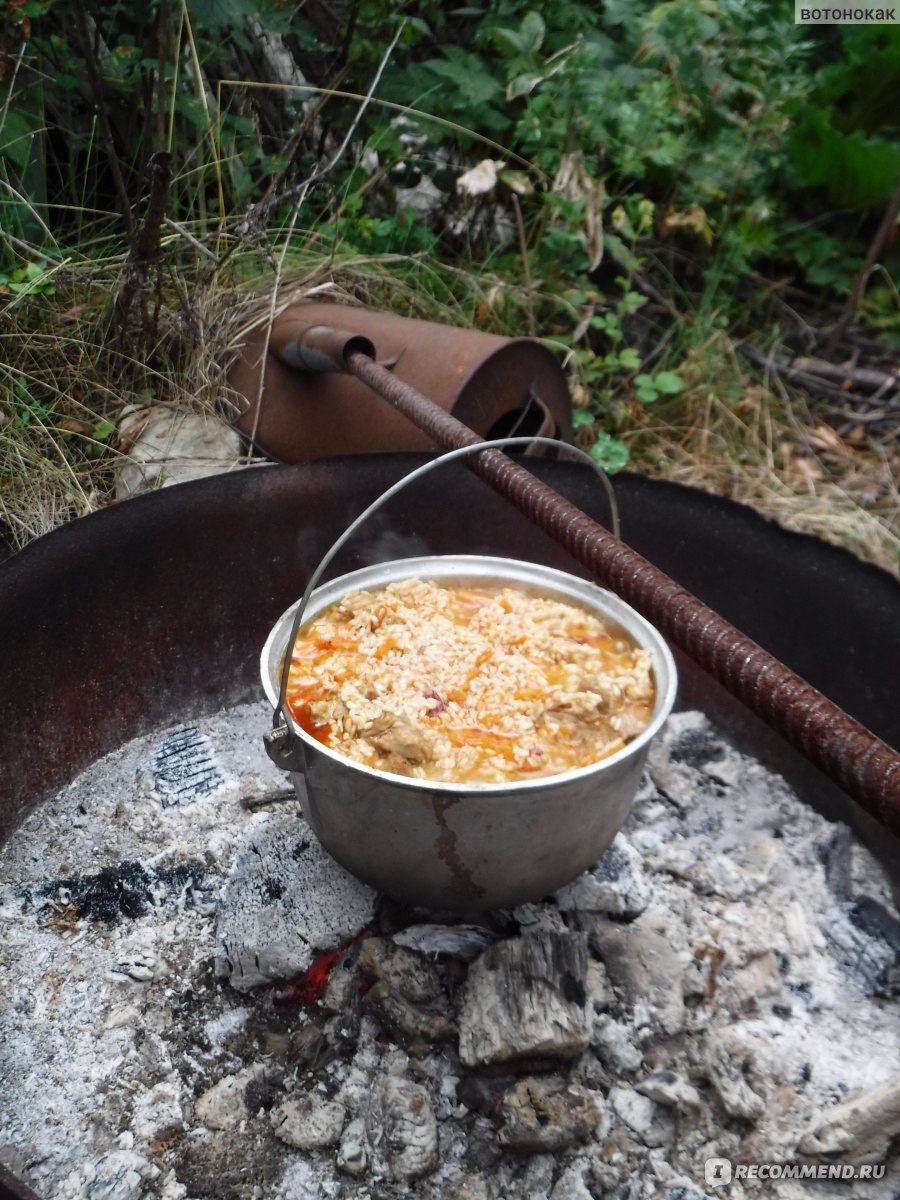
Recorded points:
(481,568)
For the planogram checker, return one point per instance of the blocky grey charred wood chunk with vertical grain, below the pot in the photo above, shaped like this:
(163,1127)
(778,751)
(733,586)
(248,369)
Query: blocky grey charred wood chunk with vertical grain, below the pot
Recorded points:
(526,997)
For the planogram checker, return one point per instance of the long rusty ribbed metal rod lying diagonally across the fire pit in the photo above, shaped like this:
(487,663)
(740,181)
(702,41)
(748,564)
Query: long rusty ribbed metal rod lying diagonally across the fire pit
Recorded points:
(865,766)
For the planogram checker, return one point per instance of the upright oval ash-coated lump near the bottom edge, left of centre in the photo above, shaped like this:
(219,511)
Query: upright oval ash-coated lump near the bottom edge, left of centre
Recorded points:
(403,1130)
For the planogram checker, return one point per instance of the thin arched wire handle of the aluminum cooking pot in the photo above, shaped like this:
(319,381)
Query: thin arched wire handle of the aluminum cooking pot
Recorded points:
(279,736)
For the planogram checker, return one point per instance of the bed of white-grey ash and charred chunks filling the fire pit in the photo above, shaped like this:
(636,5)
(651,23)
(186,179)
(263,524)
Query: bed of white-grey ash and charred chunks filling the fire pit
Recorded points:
(724,983)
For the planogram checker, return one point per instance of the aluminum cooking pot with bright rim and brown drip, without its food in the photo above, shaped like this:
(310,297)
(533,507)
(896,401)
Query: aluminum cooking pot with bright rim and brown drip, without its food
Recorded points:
(471,847)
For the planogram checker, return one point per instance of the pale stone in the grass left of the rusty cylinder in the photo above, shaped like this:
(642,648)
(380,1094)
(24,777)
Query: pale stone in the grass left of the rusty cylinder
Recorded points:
(173,446)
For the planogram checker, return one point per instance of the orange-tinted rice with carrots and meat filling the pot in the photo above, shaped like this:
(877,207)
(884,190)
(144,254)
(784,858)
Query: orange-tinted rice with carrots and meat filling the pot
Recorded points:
(469,685)
